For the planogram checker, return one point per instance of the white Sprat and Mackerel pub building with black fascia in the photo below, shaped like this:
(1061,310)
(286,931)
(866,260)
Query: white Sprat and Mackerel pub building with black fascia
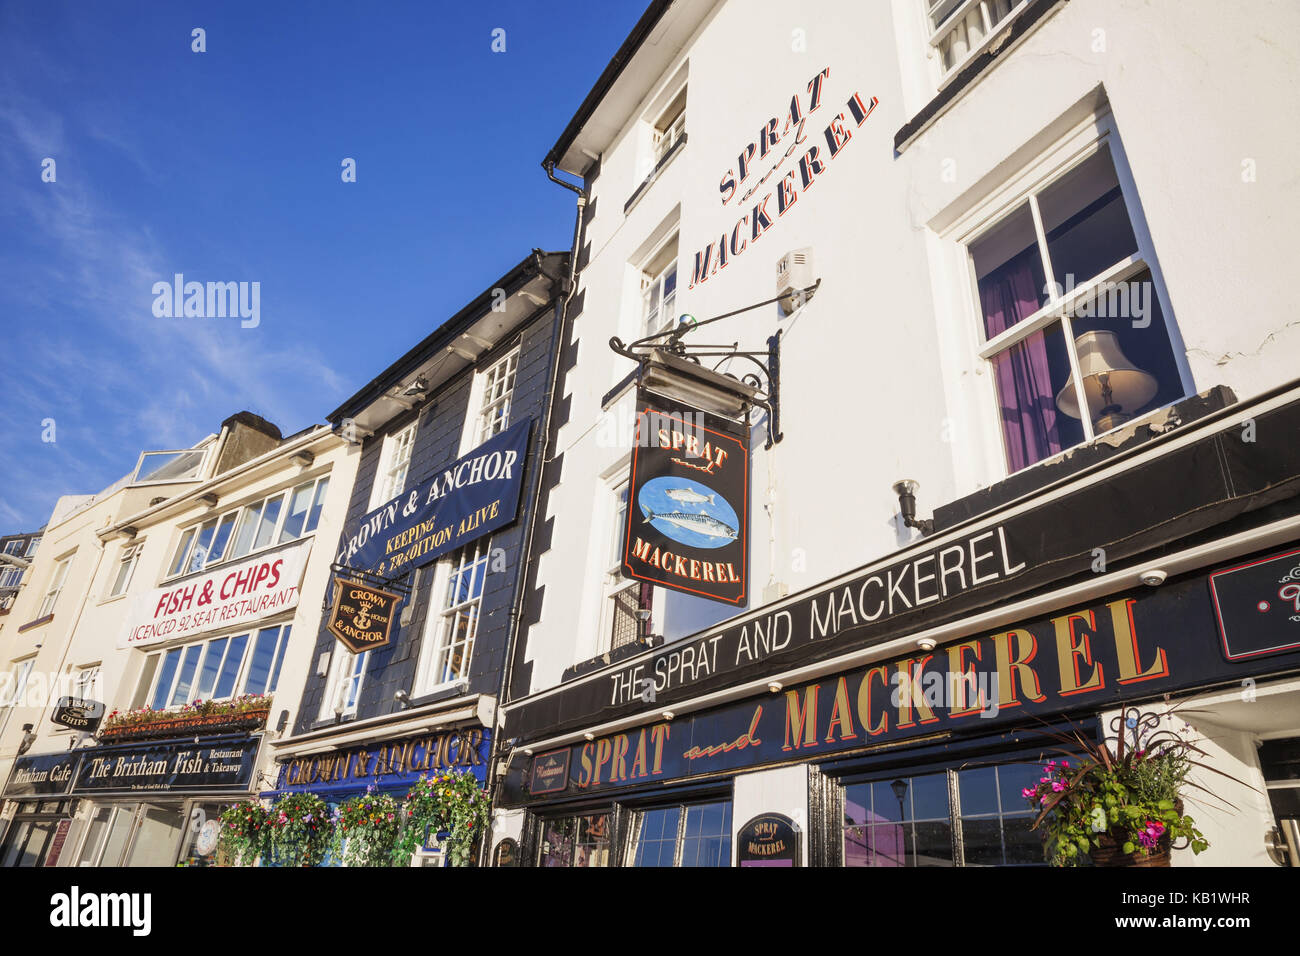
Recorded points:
(1004,457)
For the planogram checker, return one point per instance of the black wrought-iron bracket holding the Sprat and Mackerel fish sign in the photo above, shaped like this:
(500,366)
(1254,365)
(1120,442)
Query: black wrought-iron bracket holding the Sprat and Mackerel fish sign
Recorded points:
(766,383)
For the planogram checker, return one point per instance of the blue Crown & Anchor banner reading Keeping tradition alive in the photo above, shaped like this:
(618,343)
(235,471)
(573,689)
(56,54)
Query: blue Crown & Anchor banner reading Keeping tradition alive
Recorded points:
(463,501)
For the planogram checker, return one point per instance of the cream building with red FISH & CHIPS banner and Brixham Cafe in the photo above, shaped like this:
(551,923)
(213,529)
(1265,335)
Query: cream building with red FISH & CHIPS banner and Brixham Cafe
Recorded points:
(168,618)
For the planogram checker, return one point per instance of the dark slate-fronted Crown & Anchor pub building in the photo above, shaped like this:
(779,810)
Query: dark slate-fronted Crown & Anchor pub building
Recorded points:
(408,665)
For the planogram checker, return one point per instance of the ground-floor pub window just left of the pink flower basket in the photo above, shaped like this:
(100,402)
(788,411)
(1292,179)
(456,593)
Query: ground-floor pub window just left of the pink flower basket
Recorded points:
(968,817)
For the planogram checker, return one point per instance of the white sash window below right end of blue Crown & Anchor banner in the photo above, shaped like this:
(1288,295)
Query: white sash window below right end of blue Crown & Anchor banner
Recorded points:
(450,634)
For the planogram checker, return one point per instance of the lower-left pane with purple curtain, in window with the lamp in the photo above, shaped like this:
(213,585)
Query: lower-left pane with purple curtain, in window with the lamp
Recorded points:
(1029,379)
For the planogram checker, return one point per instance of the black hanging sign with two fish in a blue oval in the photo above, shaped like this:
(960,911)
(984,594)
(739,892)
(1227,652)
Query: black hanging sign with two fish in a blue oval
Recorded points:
(688,503)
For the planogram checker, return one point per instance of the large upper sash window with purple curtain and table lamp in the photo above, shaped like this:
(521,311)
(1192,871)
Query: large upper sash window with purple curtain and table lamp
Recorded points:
(1071,315)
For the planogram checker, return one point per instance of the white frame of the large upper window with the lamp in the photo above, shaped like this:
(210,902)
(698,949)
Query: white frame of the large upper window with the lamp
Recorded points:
(1077,146)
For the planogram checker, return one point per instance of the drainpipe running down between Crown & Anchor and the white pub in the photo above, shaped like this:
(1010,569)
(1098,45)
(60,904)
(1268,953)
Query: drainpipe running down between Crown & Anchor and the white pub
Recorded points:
(567,289)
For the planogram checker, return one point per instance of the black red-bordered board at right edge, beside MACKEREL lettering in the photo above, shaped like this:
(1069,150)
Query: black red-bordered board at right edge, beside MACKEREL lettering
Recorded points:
(1258,605)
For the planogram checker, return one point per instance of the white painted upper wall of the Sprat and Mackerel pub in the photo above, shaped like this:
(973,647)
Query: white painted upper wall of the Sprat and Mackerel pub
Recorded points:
(881,375)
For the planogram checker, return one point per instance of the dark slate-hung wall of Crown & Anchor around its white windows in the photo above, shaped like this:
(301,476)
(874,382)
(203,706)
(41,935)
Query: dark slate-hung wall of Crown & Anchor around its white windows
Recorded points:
(441,422)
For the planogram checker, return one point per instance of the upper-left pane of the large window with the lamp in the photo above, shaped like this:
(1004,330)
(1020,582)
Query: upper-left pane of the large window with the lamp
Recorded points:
(1009,272)
